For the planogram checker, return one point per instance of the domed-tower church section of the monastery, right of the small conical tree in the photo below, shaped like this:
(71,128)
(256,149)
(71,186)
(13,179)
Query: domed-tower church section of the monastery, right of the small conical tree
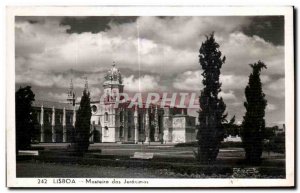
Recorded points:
(138,124)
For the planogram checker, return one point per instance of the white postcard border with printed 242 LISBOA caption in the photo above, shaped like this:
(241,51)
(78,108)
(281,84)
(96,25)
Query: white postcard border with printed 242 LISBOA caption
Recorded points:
(287,11)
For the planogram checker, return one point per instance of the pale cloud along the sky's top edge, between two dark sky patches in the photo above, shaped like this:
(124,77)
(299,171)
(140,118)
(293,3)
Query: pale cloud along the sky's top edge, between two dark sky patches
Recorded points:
(179,32)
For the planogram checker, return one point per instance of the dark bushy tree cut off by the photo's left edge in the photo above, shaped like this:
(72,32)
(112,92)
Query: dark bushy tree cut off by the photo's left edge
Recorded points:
(24,117)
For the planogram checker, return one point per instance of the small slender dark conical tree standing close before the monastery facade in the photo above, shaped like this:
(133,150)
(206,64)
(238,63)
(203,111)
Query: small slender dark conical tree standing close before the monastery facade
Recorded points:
(83,124)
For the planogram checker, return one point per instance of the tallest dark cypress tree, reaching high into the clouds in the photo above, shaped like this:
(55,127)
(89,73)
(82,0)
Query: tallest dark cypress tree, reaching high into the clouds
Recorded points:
(212,107)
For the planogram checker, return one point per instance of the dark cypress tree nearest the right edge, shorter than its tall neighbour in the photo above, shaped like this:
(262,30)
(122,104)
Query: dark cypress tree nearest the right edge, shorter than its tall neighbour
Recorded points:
(253,127)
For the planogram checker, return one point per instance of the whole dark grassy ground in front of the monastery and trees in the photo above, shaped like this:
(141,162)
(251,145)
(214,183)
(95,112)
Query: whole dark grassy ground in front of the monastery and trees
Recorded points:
(113,160)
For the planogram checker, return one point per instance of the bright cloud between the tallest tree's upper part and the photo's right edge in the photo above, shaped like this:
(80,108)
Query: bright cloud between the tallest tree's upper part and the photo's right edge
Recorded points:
(241,50)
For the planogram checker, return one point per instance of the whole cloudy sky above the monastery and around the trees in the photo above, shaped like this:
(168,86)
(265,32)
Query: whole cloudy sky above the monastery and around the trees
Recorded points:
(50,51)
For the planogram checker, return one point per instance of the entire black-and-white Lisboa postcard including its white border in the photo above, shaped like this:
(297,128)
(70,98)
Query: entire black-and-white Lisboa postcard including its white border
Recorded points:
(150,97)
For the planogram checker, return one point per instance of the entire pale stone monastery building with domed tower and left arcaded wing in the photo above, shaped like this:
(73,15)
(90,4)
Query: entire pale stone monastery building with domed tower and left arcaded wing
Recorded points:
(110,124)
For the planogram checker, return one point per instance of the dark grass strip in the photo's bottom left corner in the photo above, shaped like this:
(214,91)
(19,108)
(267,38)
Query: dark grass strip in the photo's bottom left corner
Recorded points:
(30,169)
